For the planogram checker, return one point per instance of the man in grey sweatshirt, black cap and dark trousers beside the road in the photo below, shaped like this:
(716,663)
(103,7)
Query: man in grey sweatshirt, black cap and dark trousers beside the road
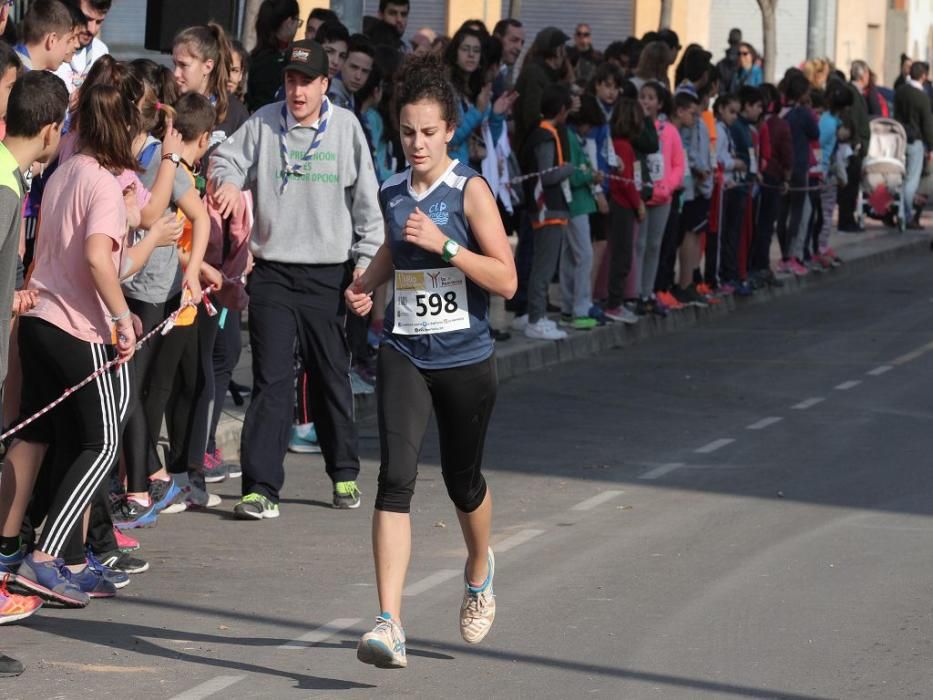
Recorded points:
(318,224)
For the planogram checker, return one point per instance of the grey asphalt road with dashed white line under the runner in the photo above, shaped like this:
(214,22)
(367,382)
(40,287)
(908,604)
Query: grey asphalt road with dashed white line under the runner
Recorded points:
(735,511)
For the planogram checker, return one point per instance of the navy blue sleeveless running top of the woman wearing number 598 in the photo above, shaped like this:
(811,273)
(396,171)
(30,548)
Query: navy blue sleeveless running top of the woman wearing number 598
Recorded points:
(443,203)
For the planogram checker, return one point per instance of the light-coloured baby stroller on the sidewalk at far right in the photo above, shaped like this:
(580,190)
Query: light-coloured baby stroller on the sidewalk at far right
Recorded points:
(884,171)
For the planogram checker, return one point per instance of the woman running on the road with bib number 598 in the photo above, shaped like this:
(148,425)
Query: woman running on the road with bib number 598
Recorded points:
(447,250)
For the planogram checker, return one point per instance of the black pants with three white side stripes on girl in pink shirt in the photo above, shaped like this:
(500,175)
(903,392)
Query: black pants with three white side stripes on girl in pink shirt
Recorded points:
(52,361)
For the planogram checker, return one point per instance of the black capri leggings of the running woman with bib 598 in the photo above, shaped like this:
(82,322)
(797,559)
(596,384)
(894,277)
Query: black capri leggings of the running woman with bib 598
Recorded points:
(462,399)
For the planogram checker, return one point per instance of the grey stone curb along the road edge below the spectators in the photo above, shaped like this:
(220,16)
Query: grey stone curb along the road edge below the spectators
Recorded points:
(516,361)
